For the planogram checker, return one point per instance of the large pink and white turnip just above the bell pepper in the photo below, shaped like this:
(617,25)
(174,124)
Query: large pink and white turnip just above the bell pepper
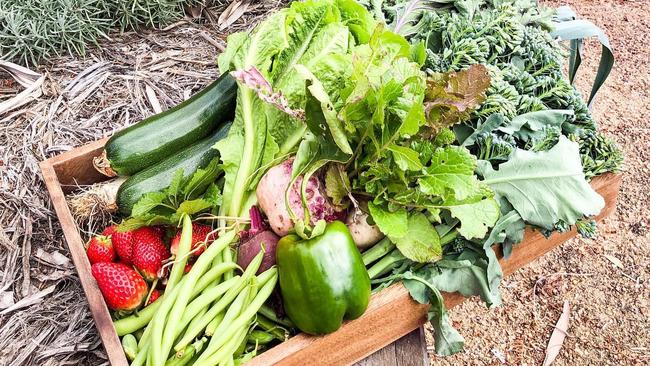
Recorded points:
(271,198)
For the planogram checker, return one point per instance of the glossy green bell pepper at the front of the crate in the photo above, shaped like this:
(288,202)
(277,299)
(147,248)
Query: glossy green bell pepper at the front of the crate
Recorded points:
(322,279)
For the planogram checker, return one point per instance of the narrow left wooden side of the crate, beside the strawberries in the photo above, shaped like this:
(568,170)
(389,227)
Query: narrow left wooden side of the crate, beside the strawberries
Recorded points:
(95,300)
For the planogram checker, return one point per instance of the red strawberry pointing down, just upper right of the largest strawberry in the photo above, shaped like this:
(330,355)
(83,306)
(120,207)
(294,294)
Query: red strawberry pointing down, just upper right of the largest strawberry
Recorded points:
(149,252)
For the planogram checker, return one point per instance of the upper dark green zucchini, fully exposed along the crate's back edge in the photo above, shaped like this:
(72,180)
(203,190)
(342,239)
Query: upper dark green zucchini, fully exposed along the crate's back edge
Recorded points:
(157,137)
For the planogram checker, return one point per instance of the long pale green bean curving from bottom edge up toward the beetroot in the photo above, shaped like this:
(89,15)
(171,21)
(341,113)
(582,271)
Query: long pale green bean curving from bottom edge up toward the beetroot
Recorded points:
(163,335)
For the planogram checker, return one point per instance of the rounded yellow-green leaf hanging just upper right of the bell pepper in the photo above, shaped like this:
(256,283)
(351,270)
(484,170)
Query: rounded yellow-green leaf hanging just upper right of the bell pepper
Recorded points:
(421,242)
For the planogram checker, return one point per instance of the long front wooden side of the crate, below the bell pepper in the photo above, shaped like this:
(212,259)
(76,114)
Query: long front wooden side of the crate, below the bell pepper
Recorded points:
(392,313)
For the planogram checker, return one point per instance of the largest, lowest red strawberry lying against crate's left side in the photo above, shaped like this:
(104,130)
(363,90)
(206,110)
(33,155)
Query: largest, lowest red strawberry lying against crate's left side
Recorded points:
(123,288)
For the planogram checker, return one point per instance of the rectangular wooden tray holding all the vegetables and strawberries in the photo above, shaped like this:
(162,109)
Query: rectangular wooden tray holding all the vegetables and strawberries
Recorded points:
(391,313)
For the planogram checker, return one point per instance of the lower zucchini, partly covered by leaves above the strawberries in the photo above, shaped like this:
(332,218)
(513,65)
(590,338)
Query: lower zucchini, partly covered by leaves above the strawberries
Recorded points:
(159,176)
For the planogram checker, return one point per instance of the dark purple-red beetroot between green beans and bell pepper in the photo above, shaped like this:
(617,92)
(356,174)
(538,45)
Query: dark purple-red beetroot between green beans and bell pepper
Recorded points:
(252,240)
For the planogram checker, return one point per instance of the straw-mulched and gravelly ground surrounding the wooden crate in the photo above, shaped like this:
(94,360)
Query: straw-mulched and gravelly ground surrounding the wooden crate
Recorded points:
(605,279)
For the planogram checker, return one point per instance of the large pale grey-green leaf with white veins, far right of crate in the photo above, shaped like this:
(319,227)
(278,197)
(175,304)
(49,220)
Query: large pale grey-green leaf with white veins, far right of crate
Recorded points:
(547,186)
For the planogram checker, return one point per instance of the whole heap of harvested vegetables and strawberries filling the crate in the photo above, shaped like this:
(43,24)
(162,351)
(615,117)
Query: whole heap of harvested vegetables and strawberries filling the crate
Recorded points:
(442,169)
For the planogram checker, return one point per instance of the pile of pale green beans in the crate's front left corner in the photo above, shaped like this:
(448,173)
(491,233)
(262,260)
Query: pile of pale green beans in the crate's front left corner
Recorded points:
(208,316)
